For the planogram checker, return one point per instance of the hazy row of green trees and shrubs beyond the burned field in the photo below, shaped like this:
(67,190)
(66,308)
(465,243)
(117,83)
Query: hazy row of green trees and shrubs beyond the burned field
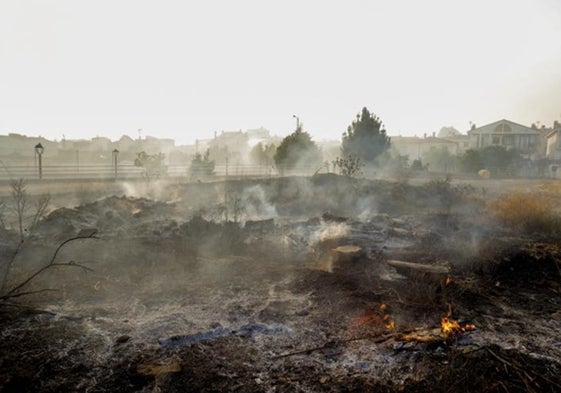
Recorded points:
(365,144)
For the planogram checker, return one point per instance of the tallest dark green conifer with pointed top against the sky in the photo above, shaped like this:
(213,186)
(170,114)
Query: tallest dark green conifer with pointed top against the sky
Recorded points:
(365,138)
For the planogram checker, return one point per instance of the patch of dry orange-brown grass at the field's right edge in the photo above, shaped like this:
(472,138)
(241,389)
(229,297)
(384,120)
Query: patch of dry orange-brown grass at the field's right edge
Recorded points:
(527,212)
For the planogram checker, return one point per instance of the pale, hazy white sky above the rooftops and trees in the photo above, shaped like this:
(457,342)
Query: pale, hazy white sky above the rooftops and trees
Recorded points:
(184,69)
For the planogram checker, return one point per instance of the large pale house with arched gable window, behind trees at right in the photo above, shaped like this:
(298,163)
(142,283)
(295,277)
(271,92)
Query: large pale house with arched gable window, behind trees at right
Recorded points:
(507,134)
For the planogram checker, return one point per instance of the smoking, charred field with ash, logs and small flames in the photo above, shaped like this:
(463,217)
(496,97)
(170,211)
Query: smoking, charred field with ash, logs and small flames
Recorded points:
(323,284)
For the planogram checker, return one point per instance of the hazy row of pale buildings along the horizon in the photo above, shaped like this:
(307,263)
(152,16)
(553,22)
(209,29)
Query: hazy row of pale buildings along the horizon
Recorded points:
(532,142)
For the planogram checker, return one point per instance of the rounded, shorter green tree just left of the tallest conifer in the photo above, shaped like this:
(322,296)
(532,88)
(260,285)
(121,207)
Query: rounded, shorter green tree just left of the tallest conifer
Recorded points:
(297,150)
